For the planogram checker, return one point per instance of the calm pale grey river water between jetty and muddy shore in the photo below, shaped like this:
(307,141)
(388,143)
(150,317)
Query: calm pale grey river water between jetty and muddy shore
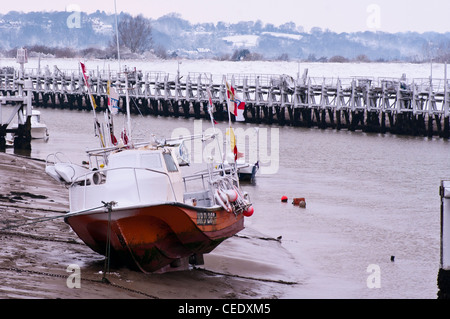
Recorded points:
(369,198)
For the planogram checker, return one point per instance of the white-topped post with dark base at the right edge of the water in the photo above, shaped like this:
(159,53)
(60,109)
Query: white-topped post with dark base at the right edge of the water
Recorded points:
(444,271)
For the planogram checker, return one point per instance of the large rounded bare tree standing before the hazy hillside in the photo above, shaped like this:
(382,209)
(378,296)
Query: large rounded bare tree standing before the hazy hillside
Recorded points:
(135,33)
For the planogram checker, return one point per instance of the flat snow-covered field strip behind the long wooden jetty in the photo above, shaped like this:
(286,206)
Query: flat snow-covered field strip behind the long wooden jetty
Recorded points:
(219,68)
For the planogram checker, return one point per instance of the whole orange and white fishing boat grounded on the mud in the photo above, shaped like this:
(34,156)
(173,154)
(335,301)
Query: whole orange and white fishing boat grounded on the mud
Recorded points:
(133,205)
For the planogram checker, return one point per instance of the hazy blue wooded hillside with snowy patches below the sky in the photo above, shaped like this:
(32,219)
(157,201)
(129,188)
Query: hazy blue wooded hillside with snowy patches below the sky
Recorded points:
(171,37)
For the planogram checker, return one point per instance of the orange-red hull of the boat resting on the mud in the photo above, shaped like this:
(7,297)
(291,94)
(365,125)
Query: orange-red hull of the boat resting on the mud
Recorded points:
(153,237)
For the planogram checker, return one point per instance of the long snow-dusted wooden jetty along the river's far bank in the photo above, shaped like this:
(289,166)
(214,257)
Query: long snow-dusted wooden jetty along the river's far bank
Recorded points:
(418,107)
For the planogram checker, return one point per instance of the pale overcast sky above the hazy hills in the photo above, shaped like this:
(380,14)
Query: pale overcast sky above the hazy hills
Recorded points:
(337,15)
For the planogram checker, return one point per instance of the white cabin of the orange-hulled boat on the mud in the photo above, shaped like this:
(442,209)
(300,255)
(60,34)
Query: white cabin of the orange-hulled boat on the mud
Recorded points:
(133,177)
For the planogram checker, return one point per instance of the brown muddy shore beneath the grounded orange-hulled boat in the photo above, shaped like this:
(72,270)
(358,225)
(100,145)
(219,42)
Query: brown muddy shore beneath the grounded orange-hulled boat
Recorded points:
(38,247)
